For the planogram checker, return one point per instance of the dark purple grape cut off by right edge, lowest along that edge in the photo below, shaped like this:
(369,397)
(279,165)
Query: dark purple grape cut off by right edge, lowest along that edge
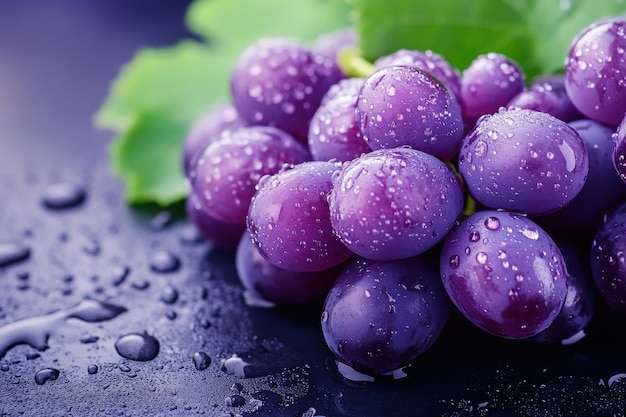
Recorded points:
(608,260)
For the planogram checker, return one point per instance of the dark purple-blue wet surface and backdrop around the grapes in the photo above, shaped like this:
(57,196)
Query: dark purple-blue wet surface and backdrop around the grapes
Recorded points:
(56,62)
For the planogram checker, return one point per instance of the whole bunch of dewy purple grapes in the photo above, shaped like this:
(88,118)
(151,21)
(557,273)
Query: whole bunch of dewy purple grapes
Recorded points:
(400,194)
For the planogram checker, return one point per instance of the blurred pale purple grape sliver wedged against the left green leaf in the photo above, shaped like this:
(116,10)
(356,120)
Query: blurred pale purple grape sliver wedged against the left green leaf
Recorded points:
(207,129)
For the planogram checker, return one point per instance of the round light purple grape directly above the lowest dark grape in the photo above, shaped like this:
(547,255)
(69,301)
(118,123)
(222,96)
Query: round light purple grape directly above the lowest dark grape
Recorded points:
(394,203)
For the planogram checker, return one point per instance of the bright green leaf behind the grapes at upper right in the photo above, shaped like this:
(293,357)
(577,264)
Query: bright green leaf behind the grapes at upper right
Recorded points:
(534,33)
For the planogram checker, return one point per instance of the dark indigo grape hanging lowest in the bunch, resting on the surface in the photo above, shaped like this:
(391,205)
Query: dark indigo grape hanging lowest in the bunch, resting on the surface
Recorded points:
(380,316)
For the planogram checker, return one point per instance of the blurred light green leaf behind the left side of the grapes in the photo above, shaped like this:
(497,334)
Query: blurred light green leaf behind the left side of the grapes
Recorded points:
(158,94)
